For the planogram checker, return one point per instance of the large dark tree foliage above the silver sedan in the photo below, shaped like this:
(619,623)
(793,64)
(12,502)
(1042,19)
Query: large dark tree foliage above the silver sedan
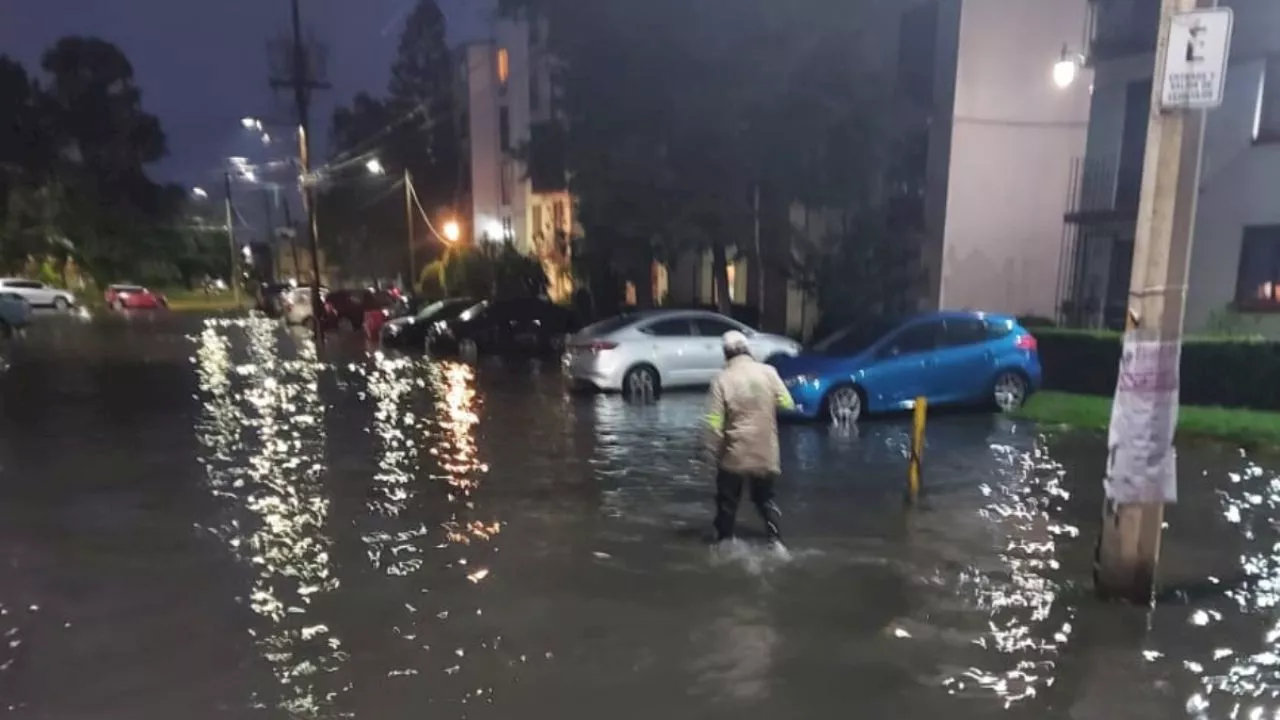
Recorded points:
(682,113)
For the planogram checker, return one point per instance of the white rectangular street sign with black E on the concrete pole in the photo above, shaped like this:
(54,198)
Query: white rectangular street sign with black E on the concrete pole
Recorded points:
(1195,76)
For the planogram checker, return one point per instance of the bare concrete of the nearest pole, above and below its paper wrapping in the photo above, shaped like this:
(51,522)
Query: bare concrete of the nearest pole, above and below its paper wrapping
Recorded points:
(1130,545)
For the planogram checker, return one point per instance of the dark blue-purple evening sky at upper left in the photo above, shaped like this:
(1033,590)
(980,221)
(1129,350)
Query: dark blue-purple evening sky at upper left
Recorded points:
(203,65)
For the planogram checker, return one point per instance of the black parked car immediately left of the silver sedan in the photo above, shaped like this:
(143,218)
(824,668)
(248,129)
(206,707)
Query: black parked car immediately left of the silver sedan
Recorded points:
(509,326)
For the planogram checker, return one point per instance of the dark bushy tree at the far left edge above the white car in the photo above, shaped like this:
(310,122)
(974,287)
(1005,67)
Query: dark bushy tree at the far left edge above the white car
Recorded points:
(74,158)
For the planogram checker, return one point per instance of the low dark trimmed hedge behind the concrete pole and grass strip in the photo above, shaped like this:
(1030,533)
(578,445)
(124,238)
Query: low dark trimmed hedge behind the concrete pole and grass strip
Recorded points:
(1215,372)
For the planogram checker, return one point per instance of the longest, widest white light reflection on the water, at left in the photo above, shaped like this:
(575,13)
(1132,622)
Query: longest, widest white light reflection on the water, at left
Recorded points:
(264,436)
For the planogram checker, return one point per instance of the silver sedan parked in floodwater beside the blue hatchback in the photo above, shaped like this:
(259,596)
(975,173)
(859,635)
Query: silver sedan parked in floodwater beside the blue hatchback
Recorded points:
(661,349)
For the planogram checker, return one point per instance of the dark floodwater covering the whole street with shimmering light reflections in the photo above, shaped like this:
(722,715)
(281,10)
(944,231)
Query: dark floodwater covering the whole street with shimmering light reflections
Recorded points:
(199,520)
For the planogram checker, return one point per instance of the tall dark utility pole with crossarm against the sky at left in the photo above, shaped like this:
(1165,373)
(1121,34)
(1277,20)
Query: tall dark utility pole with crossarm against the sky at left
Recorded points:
(296,71)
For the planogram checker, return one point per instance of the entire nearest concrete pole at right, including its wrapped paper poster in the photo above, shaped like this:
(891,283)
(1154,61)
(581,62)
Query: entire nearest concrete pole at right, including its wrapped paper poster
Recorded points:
(1128,549)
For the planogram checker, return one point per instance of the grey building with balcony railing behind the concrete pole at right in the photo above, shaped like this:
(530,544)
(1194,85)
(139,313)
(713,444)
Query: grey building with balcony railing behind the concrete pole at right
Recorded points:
(1236,259)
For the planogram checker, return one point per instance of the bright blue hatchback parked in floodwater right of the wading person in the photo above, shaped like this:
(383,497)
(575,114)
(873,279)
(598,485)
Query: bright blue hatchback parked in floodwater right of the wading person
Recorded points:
(948,358)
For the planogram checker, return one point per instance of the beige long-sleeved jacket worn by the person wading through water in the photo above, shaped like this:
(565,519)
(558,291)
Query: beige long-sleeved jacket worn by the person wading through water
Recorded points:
(743,418)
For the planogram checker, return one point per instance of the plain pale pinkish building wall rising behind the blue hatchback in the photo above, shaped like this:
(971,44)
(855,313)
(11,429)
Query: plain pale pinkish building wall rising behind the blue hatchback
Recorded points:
(999,129)
